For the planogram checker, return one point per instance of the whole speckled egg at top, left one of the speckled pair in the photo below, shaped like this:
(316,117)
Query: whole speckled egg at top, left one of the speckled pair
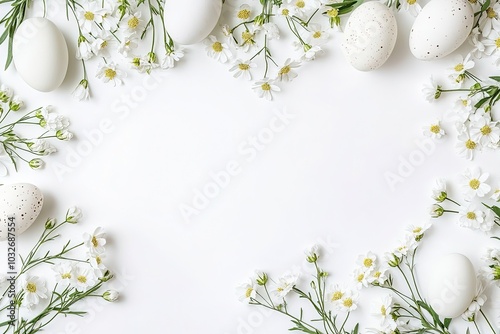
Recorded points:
(369,36)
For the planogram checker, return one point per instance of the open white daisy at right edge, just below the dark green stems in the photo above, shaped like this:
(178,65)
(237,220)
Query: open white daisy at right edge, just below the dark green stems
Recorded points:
(483,130)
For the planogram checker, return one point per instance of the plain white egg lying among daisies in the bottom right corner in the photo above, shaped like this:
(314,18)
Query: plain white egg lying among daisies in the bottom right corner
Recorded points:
(451,286)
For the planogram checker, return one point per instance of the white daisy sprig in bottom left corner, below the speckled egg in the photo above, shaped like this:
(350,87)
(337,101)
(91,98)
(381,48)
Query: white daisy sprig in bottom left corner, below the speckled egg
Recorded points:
(75,278)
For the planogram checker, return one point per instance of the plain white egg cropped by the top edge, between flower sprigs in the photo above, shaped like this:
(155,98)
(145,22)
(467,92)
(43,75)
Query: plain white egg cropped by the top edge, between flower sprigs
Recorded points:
(191,21)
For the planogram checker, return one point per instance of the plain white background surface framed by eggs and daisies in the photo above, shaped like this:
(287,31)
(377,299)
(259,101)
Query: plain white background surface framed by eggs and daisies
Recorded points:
(322,179)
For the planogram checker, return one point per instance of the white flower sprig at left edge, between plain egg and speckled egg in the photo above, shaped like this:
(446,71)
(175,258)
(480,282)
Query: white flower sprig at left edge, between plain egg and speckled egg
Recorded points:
(16,146)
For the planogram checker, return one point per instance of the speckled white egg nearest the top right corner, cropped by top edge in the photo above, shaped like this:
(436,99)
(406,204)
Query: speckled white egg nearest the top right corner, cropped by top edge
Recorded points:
(441,27)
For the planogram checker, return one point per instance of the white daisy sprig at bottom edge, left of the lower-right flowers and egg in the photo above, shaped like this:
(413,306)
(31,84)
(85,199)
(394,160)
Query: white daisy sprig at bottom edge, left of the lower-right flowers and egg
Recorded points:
(261,290)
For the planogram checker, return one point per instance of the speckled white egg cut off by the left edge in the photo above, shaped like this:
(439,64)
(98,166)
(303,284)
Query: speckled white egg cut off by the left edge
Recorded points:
(23,201)
